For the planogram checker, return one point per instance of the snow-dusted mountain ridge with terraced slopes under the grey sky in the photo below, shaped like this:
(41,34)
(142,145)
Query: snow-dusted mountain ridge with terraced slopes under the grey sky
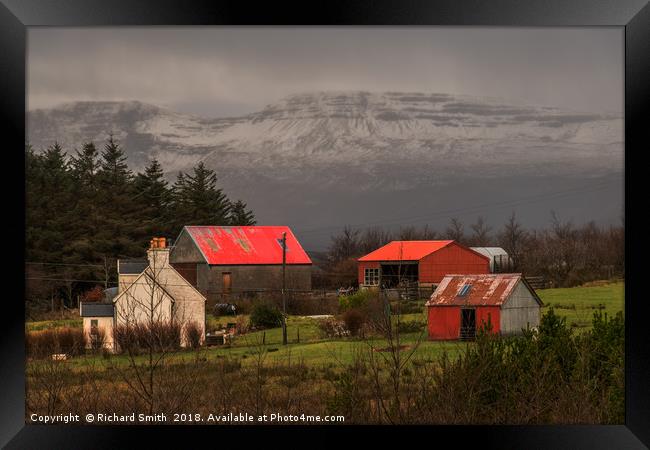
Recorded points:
(319,148)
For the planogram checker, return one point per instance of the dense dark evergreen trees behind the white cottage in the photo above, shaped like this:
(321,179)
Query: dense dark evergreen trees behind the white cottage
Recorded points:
(86,209)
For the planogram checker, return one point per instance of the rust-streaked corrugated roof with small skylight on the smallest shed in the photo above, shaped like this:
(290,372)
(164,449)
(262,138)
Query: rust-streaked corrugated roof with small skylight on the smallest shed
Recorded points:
(485,289)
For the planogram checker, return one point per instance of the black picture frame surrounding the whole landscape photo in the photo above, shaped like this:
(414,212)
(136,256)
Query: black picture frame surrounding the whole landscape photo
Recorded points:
(633,15)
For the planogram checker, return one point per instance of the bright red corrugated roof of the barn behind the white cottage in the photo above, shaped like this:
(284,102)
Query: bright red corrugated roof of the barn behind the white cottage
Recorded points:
(246,245)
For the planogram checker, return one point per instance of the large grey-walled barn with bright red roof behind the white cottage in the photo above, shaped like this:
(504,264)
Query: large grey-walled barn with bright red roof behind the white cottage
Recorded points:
(221,261)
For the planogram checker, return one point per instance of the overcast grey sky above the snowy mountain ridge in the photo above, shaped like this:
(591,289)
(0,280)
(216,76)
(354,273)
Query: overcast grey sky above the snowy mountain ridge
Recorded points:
(220,71)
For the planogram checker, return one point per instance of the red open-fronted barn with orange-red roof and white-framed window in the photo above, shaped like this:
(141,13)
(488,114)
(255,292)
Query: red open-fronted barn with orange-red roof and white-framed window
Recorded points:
(426,262)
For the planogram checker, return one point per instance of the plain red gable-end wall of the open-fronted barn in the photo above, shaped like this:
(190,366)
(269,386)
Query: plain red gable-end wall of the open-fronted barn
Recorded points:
(452,259)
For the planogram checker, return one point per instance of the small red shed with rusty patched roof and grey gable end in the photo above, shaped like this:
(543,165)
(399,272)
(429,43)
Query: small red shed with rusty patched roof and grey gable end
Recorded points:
(463,303)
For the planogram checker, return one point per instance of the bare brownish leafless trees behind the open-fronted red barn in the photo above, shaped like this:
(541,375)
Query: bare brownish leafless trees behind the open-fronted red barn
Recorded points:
(563,253)
